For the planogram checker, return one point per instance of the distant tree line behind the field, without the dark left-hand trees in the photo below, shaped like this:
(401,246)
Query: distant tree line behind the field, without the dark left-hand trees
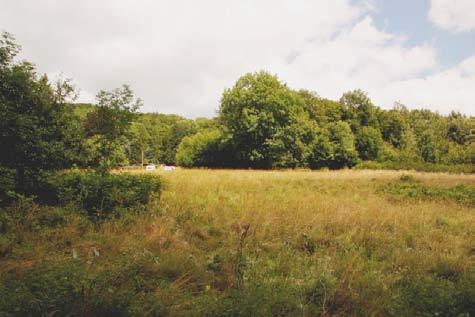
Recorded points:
(262,123)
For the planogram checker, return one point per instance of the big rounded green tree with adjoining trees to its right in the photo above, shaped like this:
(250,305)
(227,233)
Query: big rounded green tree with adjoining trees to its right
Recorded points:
(267,125)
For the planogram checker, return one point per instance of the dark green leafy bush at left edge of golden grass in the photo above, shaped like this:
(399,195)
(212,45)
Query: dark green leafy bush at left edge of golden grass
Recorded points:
(103,195)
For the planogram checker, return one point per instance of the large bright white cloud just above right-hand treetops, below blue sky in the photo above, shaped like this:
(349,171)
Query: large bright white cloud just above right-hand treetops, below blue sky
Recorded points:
(377,62)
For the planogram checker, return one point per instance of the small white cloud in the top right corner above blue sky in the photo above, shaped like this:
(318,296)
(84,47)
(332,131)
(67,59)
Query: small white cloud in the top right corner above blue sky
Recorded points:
(453,15)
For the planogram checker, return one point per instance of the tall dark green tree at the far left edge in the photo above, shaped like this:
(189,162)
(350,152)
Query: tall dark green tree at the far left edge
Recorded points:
(33,129)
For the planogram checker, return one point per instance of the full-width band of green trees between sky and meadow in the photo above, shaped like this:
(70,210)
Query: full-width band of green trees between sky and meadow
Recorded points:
(261,123)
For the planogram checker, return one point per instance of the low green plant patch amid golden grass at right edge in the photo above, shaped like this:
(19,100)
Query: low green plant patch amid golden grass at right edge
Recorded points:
(409,188)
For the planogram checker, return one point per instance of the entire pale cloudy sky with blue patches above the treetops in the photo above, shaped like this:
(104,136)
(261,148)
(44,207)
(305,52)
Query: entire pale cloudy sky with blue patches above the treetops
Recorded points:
(179,55)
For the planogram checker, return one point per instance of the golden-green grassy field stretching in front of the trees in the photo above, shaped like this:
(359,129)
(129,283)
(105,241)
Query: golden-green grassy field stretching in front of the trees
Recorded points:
(259,243)
